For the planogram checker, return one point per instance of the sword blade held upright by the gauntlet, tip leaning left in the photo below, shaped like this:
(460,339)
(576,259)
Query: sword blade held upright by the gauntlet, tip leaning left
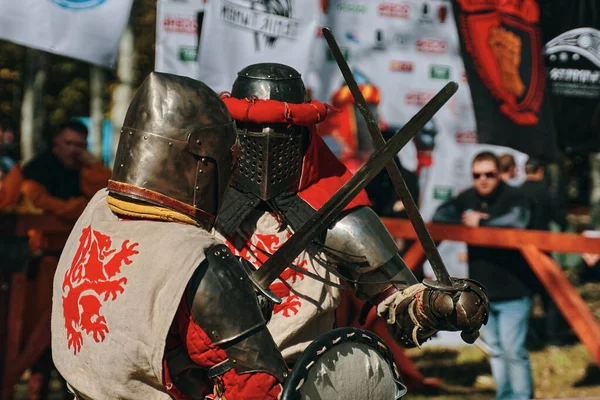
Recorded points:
(433,255)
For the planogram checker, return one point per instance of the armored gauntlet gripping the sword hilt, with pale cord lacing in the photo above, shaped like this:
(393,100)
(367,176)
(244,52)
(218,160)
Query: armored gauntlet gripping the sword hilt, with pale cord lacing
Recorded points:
(418,312)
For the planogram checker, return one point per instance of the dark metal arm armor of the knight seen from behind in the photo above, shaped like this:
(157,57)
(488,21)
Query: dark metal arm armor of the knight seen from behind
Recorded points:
(223,302)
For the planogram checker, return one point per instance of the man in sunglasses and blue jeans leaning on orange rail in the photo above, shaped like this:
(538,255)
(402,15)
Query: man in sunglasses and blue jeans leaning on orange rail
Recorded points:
(504,273)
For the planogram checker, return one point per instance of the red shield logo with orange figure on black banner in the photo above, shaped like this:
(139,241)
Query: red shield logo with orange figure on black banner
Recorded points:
(504,43)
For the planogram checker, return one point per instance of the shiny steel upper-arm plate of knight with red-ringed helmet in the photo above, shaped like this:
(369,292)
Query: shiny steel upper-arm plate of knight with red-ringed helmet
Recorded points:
(361,243)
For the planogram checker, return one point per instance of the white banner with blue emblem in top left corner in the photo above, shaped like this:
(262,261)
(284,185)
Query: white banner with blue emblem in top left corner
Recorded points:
(87,30)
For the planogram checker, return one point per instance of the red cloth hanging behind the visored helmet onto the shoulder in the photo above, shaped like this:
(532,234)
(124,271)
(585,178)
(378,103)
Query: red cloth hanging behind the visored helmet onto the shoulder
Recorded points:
(323,174)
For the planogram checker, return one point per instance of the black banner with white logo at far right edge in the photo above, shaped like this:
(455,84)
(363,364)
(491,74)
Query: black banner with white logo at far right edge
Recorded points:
(572,53)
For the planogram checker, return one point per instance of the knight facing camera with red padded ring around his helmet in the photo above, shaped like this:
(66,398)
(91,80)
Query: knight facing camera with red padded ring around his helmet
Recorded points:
(285,173)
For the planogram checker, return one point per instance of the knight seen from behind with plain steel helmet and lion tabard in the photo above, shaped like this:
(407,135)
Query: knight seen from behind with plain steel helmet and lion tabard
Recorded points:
(148,304)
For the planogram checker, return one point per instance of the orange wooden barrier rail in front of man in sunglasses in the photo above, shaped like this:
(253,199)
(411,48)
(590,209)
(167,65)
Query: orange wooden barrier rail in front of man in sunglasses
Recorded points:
(532,245)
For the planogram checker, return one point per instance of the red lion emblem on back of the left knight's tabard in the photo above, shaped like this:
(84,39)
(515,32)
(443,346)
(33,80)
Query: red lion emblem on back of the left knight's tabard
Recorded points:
(90,277)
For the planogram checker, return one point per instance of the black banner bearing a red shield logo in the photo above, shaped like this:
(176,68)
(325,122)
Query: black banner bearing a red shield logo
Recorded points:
(501,44)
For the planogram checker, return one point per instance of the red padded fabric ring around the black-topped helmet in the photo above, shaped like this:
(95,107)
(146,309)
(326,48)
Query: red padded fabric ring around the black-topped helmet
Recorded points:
(275,112)
